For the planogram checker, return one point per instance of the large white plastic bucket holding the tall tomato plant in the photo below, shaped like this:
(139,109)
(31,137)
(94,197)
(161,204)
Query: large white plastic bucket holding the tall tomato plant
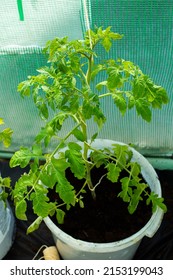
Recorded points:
(73,249)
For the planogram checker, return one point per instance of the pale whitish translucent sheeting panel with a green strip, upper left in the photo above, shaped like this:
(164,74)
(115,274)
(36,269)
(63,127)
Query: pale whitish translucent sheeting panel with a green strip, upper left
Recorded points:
(41,21)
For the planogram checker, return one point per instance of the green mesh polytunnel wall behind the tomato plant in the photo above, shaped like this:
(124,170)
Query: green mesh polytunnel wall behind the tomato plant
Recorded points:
(148,41)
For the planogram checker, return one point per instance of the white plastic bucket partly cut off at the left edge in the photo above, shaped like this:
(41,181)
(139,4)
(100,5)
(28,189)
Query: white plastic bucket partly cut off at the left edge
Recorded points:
(6,229)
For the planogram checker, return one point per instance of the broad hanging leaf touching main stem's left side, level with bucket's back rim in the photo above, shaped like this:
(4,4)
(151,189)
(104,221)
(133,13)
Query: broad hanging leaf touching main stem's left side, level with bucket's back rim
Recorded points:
(74,157)
